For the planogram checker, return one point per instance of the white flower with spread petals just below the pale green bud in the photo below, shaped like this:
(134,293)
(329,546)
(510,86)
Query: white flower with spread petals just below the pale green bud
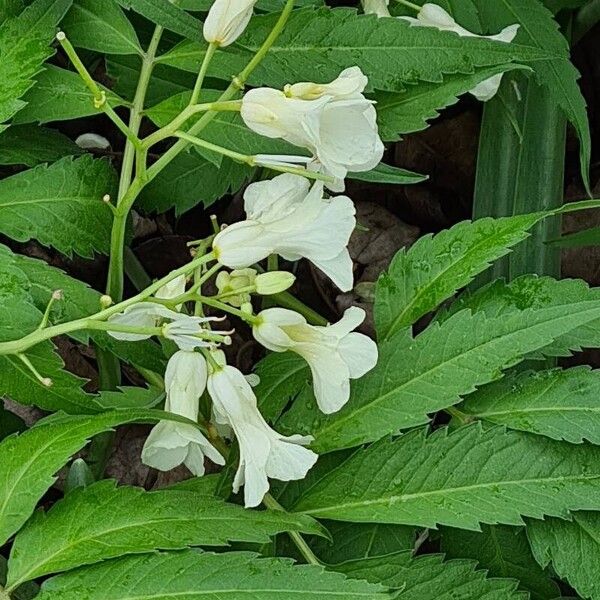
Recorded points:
(335,354)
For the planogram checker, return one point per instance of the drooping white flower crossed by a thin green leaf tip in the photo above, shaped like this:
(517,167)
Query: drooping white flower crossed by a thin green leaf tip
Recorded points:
(169,443)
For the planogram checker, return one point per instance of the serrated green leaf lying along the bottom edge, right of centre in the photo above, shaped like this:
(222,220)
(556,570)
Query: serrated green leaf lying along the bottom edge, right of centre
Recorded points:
(428,577)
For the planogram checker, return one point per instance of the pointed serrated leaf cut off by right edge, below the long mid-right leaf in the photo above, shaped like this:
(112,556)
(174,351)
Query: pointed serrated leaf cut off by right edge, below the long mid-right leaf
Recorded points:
(559,403)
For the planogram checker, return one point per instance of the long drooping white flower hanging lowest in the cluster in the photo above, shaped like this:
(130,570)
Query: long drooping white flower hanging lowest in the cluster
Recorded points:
(264,453)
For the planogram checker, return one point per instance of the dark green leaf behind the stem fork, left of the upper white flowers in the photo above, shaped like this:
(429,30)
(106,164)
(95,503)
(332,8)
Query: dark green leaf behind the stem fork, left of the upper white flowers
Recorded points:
(189,180)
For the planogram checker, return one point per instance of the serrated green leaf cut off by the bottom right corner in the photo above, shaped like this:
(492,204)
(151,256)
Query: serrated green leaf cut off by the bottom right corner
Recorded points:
(573,549)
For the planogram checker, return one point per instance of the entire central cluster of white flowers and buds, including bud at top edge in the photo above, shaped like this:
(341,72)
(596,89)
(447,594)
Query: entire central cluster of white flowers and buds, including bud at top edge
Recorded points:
(288,216)
